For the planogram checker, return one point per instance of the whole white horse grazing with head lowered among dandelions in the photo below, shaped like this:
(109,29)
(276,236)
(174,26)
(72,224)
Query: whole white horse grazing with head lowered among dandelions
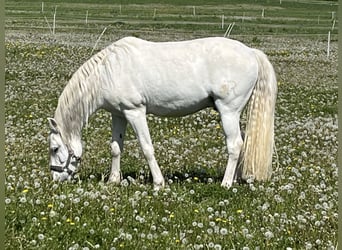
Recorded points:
(132,77)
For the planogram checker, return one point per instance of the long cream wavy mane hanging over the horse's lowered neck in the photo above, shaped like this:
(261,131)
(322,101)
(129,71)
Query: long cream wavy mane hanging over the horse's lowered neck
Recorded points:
(79,98)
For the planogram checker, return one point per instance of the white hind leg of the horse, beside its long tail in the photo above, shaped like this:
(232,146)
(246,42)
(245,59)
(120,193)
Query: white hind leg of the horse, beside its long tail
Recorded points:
(231,127)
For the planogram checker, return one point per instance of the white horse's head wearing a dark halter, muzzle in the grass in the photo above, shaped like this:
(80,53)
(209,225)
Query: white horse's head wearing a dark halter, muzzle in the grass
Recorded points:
(63,162)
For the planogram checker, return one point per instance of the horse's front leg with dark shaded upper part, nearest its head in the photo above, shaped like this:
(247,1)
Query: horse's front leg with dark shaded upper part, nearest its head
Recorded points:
(119,125)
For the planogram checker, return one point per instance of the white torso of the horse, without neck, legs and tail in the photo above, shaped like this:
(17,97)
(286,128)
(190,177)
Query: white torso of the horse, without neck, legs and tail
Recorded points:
(177,78)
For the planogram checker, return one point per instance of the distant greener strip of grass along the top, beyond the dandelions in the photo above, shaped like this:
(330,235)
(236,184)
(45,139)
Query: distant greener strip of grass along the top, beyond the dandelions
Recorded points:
(290,17)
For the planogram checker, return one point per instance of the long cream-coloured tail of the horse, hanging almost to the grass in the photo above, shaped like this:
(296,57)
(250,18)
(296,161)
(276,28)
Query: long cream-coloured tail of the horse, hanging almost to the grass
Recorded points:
(259,135)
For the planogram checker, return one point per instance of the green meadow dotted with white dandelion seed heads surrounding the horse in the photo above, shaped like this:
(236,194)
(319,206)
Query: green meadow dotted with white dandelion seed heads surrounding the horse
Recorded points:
(296,209)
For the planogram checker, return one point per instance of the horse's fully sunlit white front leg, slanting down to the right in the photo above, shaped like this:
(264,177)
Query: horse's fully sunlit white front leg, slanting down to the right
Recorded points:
(137,119)
